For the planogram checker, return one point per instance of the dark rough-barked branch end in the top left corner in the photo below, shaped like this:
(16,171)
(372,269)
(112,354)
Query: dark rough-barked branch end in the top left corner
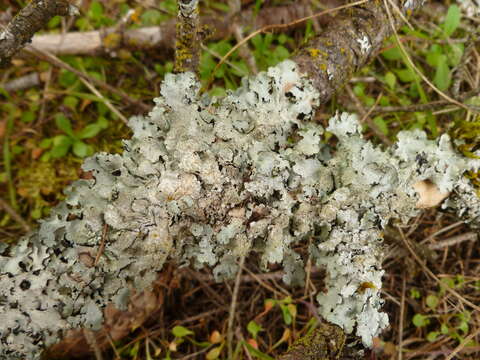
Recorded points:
(27,22)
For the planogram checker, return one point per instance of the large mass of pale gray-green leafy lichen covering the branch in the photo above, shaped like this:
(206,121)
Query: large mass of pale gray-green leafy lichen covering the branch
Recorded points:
(204,182)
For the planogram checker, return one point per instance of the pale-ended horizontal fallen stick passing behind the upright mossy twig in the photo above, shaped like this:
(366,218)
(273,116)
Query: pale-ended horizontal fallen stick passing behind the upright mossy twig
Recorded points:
(161,37)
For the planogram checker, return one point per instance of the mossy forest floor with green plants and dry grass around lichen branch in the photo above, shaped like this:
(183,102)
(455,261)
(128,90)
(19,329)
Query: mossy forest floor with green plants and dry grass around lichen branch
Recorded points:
(48,127)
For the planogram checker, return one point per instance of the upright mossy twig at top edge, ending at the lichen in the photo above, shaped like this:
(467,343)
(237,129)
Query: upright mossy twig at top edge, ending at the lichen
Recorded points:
(187,46)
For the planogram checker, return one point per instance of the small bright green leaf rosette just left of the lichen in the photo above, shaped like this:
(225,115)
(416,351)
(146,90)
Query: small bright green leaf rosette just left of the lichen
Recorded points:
(61,145)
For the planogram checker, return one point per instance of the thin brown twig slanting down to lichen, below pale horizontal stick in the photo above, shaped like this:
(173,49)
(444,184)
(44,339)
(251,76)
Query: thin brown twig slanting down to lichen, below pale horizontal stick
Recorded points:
(57,62)
